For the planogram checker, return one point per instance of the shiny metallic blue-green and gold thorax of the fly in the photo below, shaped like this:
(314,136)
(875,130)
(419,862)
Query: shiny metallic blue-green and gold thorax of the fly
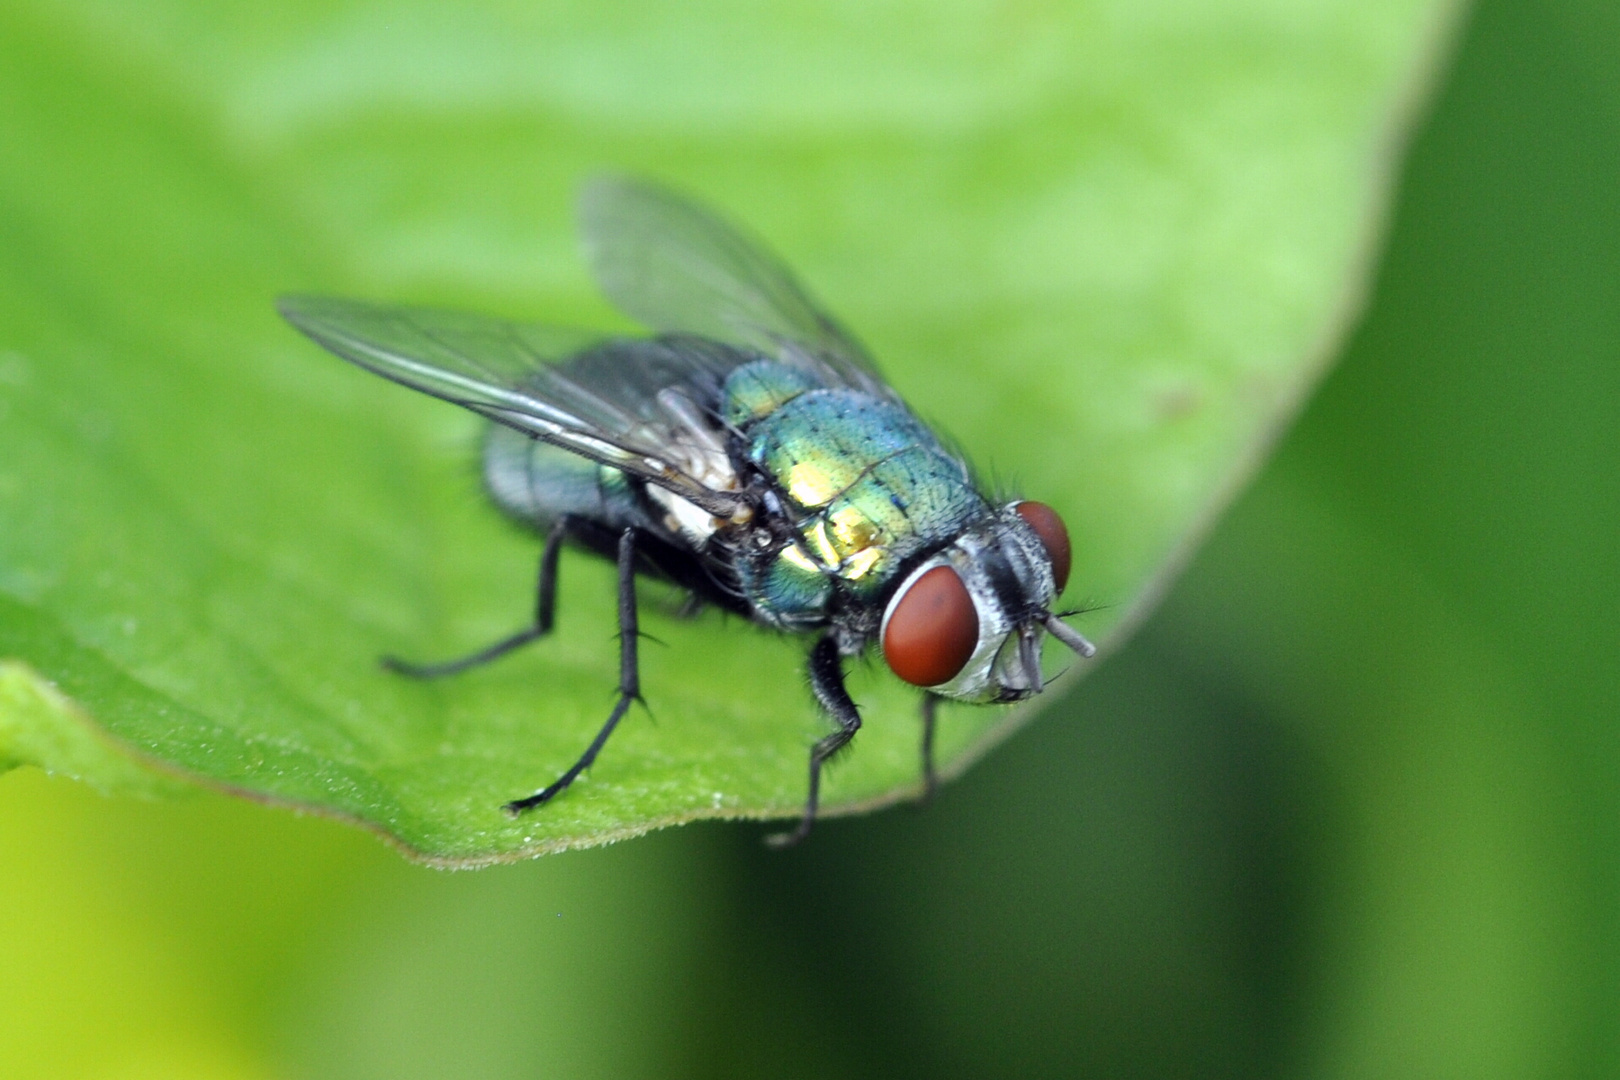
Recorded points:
(866,483)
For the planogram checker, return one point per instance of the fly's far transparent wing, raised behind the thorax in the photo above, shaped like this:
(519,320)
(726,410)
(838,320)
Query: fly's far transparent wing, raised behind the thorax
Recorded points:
(676,266)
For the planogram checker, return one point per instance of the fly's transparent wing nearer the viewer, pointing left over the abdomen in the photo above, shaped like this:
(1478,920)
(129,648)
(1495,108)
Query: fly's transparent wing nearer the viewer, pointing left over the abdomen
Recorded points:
(636,406)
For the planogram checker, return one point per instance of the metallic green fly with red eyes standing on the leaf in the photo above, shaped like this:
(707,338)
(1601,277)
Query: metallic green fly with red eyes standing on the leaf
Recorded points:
(749,453)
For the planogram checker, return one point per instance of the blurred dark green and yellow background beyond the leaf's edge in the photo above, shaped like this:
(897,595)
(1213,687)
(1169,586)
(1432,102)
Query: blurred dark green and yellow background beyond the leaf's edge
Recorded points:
(1347,807)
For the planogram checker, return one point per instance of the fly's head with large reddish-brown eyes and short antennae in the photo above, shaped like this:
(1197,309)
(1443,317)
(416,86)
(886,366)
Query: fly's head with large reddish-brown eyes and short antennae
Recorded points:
(968,623)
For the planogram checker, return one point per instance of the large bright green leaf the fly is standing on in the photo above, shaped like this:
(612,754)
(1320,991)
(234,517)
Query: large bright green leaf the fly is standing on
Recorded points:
(1107,249)
